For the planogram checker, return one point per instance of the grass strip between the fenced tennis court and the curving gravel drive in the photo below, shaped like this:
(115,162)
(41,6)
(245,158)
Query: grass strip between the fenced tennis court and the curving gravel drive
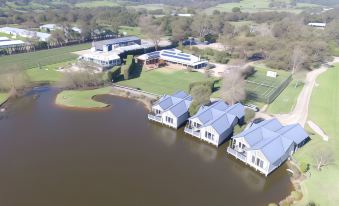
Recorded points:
(286,101)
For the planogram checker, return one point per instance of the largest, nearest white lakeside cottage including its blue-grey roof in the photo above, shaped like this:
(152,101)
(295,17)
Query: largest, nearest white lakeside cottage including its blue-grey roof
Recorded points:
(267,145)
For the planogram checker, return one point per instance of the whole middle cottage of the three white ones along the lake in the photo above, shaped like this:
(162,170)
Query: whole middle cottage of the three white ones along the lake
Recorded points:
(215,123)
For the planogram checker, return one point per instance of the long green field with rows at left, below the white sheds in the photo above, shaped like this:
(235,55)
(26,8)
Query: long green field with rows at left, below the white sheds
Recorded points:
(44,57)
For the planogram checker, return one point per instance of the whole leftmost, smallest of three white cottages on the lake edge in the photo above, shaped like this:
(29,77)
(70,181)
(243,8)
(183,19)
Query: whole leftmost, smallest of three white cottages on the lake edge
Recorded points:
(171,110)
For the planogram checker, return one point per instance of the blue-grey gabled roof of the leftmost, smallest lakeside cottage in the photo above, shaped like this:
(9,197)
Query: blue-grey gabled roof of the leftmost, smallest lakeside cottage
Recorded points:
(178,103)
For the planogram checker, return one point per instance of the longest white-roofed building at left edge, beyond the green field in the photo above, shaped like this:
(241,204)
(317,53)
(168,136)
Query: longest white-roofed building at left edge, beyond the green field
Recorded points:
(25,33)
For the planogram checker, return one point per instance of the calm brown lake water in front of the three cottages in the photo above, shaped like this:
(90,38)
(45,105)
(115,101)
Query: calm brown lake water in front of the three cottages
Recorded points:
(52,156)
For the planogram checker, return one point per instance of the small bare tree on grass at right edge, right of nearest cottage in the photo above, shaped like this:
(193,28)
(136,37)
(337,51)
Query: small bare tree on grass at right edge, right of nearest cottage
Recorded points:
(323,157)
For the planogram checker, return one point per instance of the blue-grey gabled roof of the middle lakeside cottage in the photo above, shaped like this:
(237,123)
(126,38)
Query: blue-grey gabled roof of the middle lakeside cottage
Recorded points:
(219,115)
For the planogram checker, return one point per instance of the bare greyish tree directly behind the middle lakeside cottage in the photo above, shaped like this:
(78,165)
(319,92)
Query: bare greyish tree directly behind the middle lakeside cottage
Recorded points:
(233,87)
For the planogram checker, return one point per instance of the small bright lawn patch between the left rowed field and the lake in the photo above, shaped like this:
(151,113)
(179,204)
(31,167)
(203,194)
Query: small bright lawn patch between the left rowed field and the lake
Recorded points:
(47,73)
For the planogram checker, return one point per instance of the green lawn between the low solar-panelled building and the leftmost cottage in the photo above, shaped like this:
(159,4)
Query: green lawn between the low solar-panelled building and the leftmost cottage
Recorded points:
(164,80)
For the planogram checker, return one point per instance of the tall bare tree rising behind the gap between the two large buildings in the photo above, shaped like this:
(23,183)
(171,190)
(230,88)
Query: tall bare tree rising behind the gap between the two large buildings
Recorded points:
(152,30)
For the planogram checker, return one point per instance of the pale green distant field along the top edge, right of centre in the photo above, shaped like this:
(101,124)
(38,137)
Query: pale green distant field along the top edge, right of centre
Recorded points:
(257,6)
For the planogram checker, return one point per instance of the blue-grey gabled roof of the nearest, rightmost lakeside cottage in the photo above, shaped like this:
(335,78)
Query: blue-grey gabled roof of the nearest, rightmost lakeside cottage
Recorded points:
(272,138)
